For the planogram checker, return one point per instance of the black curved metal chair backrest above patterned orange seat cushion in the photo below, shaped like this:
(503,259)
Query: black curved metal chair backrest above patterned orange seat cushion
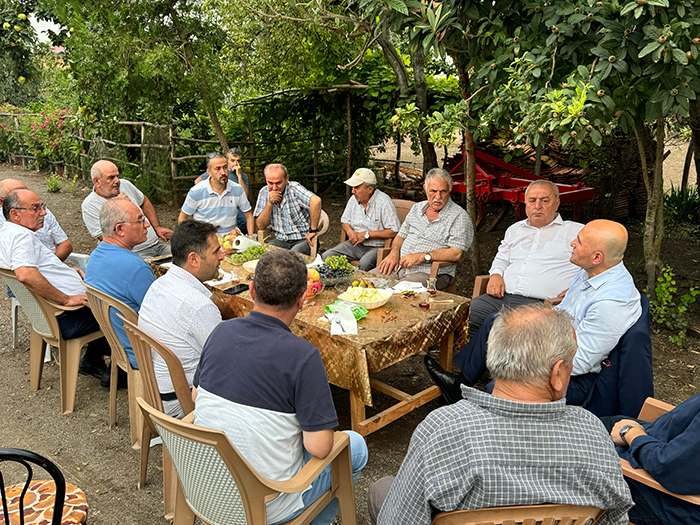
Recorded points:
(24,457)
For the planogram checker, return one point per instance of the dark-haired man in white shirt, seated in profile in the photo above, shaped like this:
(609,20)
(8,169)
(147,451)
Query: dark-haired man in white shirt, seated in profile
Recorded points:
(177,309)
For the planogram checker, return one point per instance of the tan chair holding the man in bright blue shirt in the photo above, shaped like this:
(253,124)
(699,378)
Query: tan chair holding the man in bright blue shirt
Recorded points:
(100,303)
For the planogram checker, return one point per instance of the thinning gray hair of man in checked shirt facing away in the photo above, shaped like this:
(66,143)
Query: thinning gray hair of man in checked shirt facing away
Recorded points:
(526,342)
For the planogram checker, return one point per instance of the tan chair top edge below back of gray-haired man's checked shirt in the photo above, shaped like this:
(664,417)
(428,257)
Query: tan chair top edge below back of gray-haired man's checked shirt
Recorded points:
(525,515)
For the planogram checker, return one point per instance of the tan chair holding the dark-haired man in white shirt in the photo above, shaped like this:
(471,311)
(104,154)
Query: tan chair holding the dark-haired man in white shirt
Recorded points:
(143,345)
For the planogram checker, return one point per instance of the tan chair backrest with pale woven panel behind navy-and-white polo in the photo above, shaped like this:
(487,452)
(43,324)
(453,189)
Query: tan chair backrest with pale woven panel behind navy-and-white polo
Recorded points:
(217,482)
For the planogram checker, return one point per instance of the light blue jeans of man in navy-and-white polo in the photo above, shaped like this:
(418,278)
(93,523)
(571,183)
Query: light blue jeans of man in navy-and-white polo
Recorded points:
(358,454)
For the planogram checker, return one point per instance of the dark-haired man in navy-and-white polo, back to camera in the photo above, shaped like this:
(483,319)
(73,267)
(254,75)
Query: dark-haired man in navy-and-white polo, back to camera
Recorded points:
(267,389)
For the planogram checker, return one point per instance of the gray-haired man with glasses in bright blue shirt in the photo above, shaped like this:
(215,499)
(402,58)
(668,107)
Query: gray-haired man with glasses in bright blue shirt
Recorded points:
(115,269)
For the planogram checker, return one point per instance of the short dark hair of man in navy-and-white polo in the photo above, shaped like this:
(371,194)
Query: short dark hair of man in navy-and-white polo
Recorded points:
(280,279)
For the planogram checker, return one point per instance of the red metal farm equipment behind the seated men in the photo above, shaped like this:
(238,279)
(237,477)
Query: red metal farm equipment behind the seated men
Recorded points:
(496,180)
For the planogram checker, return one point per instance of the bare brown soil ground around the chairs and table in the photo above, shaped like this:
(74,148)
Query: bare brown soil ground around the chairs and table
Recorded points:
(100,460)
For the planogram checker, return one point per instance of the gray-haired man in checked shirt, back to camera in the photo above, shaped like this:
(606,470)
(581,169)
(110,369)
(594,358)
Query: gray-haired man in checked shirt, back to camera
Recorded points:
(520,446)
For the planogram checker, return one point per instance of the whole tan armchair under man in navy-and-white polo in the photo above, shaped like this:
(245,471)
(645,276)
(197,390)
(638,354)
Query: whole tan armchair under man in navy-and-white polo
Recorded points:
(217,484)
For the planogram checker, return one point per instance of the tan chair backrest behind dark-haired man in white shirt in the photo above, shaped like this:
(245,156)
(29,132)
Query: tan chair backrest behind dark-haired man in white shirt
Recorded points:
(143,345)
